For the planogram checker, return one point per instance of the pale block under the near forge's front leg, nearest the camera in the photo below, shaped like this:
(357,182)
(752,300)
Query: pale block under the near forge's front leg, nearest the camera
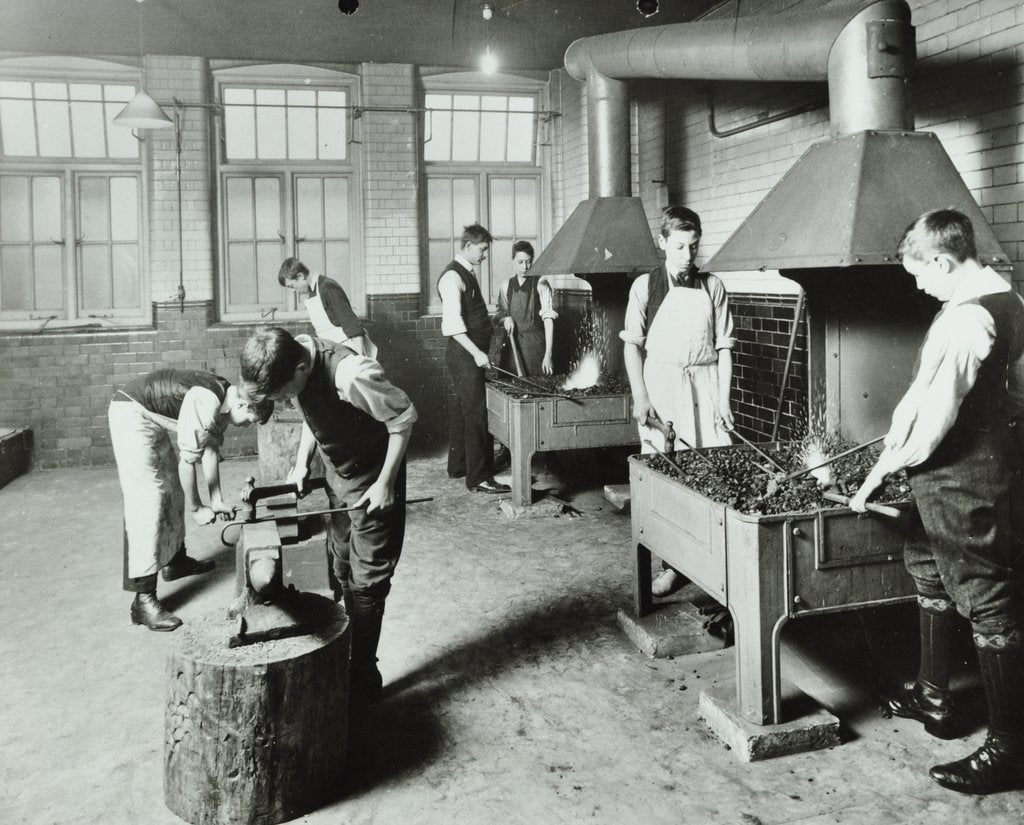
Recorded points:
(809,727)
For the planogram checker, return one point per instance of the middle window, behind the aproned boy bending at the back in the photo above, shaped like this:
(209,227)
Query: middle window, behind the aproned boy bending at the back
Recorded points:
(287,187)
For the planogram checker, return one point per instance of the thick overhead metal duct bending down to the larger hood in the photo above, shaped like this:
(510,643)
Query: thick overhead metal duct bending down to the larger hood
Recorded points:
(865,53)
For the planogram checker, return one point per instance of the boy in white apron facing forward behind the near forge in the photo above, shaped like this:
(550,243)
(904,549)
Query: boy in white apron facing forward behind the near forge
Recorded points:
(678,350)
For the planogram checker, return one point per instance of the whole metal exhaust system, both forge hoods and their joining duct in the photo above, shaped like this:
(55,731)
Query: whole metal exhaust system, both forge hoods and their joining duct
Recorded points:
(845,203)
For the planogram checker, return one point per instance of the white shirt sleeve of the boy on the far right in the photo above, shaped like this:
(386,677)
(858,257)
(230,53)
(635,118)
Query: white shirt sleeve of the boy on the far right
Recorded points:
(960,340)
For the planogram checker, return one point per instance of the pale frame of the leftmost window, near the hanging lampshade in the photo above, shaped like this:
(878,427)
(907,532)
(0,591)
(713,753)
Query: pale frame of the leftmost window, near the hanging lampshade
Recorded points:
(70,170)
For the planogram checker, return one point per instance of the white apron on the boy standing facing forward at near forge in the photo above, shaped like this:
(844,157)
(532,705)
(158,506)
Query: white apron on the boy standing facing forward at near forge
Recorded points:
(681,370)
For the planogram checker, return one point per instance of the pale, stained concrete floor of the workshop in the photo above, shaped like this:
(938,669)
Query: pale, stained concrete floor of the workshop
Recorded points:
(513,697)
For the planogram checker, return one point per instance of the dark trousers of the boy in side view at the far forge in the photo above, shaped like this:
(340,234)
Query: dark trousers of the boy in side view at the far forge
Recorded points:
(471,446)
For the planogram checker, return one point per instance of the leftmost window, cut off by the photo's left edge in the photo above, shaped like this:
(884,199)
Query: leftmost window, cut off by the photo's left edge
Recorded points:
(71,196)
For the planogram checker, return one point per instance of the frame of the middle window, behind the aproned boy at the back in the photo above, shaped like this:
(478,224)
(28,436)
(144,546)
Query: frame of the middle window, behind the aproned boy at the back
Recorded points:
(288,76)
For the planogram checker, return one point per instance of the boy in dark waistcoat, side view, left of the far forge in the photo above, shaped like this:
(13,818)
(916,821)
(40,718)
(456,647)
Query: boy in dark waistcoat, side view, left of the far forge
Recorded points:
(466,325)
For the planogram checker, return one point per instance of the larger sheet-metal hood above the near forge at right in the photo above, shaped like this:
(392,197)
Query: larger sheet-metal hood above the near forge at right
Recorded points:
(848,201)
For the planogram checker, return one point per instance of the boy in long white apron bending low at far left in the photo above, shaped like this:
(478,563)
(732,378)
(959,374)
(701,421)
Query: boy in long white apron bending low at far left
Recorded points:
(157,488)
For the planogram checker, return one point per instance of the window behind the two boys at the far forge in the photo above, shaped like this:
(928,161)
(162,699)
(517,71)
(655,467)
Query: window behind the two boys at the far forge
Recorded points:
(482,165)
